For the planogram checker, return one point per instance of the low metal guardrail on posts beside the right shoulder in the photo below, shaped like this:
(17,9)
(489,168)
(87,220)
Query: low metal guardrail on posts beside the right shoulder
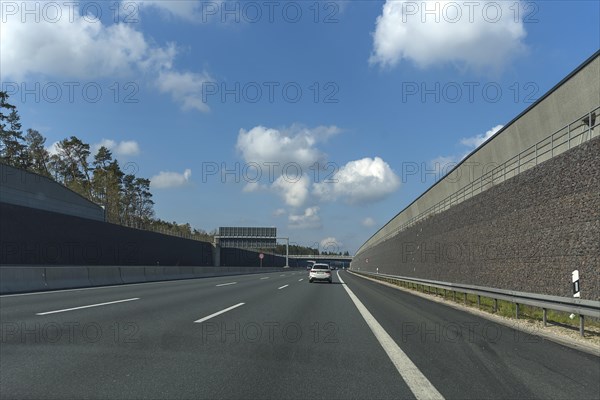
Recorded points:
(581,307)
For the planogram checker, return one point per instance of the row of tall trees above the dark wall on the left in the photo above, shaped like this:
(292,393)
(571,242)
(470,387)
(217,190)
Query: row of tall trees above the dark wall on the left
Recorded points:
(126,198)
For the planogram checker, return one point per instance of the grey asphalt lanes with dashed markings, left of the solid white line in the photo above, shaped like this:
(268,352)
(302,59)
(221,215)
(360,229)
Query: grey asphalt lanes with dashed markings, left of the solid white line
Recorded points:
(311,344)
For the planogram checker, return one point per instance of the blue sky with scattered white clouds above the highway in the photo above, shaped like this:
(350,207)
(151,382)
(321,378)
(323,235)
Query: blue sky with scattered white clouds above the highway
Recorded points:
(358,92)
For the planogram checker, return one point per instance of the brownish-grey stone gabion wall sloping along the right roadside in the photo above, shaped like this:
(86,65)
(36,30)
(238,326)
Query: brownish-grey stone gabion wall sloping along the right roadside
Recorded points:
(526,234)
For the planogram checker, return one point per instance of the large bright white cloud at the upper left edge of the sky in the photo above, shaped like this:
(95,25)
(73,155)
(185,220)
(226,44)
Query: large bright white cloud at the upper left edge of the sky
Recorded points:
(81,48)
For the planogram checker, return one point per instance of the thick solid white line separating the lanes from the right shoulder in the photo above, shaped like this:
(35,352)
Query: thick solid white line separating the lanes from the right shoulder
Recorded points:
(414,378)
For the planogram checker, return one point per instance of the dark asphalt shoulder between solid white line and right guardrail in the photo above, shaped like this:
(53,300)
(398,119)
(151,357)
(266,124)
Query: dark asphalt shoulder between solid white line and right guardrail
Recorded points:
(469,357)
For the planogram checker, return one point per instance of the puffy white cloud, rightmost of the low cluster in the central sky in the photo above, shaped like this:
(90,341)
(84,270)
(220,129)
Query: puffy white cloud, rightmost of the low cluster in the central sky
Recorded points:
(359,182)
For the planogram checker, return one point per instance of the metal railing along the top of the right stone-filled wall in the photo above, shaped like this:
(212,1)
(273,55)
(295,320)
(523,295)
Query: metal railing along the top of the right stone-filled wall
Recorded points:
(577,132)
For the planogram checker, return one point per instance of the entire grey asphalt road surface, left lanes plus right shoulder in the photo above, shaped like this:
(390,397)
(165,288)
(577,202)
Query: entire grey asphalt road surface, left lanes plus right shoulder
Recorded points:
(289,339)
